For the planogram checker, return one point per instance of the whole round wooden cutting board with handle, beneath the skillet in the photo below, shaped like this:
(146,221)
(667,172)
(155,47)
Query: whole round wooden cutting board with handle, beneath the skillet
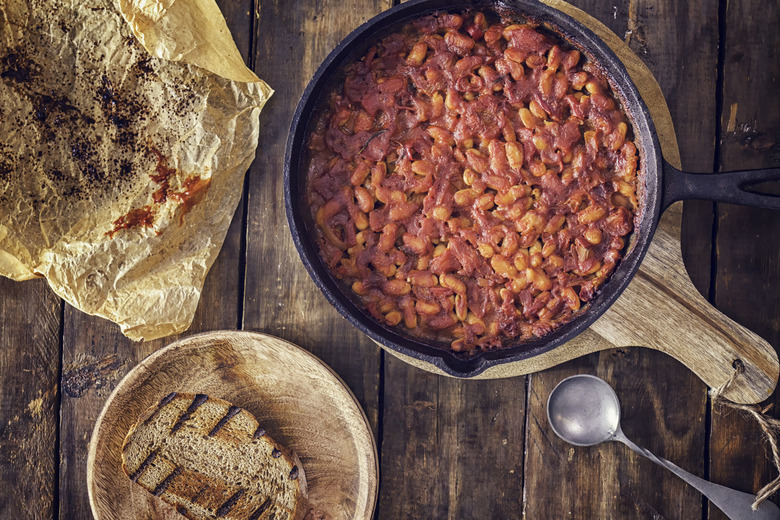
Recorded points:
(661,309)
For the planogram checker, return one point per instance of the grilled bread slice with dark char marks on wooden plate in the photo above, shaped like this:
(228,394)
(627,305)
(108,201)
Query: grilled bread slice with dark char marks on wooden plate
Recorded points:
(210,459)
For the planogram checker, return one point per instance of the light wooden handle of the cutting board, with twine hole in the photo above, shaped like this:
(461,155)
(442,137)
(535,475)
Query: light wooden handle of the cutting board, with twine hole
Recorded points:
(661,309)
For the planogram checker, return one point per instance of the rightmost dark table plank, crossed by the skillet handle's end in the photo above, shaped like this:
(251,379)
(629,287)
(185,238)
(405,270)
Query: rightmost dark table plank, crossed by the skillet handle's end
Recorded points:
(747,282)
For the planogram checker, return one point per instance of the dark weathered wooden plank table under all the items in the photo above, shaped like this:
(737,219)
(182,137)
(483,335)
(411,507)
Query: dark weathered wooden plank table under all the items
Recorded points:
(448,448)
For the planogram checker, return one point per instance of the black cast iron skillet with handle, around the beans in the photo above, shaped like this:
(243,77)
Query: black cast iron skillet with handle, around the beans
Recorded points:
(663,184)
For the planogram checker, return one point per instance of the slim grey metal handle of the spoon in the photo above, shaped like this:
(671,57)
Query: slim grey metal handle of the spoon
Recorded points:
(736,504)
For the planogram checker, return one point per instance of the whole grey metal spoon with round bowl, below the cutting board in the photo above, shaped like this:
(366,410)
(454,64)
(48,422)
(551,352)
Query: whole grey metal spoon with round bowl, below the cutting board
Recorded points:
(585,411)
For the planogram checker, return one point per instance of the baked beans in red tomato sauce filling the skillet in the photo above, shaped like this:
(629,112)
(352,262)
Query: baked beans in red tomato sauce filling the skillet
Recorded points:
(473,180)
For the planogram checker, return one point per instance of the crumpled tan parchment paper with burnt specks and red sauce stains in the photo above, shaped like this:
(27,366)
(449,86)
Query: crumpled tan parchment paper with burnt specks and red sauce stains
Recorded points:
(126,127)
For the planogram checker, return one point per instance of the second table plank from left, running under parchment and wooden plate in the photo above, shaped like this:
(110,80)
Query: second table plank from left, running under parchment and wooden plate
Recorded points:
(96,355)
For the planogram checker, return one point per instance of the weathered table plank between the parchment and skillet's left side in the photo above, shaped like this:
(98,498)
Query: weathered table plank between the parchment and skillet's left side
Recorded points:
(291,39)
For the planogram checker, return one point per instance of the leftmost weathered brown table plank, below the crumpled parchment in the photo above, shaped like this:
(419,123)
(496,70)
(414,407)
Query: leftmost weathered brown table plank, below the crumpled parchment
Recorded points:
(29,369)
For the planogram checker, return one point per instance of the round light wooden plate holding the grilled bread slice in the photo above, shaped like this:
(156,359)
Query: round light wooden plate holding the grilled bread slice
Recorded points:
(298,399)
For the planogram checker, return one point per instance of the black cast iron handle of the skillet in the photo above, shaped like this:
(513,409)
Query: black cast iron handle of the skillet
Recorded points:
(721,187)
